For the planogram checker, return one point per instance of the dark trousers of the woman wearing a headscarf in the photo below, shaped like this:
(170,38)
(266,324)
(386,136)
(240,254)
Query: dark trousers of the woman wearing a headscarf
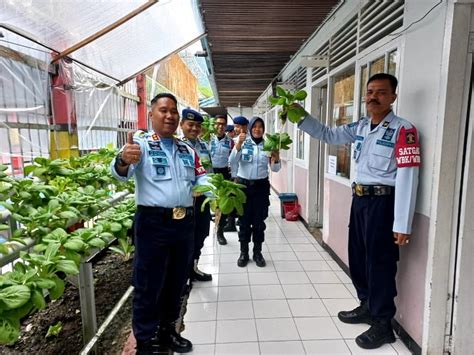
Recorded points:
(252,225)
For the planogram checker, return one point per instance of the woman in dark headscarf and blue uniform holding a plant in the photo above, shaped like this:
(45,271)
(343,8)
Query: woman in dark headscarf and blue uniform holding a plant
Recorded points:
(252,170)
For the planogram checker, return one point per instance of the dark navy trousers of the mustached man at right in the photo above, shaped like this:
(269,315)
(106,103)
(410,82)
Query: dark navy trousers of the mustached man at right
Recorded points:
(373,255)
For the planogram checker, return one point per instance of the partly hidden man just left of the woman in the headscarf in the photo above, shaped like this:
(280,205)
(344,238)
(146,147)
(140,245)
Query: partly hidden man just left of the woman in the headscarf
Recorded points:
(221,146)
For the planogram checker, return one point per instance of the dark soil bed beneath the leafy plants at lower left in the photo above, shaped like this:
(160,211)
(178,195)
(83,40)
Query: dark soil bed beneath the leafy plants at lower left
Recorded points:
(112,278)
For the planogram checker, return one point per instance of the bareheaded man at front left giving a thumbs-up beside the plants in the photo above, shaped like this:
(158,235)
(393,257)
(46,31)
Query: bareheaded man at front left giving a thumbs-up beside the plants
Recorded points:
(165,170)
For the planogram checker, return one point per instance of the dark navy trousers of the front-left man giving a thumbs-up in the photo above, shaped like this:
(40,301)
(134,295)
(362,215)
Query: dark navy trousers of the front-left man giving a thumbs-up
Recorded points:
(163,254)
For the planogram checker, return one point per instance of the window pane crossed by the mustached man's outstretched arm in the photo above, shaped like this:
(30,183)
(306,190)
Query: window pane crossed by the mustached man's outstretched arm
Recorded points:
(342,113)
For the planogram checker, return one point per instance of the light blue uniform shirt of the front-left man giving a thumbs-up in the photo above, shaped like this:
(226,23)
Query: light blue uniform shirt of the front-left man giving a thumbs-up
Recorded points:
(164,177)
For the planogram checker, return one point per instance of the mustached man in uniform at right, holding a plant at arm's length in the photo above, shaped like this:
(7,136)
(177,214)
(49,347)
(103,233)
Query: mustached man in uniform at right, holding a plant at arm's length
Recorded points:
(386,153)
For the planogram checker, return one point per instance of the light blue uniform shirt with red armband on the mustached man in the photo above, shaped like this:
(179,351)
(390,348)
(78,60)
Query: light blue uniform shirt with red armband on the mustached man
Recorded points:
(387,155)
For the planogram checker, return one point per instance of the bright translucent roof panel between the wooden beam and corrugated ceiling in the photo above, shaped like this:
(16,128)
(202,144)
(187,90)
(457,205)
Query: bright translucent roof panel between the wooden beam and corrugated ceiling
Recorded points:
(145,39)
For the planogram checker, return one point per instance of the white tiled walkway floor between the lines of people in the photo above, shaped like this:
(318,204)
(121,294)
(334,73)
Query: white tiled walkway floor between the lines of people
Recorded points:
(288,307)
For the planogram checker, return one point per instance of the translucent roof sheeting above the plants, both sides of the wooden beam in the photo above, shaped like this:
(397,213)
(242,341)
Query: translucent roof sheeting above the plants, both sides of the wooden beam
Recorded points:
(150,36)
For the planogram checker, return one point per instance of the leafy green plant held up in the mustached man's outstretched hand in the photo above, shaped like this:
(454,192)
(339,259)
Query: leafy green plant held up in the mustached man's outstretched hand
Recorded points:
(286,99)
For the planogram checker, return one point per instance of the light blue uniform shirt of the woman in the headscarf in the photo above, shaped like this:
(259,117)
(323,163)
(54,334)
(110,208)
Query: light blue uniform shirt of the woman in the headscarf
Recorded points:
(252,161)
